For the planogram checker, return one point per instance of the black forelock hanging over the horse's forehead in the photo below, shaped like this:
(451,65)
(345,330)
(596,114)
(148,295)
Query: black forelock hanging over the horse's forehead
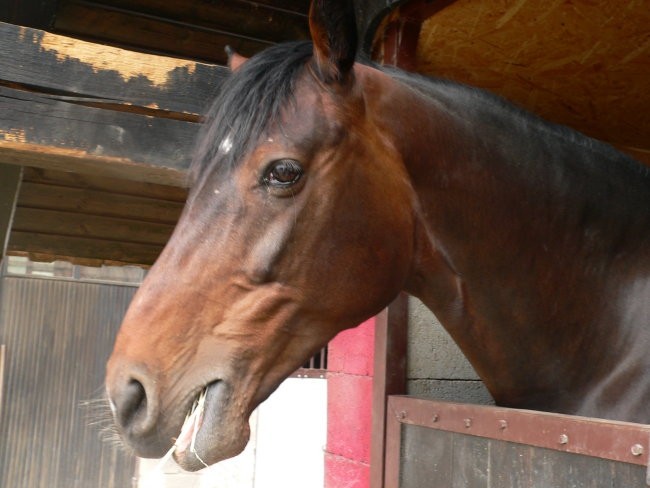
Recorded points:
(249,100)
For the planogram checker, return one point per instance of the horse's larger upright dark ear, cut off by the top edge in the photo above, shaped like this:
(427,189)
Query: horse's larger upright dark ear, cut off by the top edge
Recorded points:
(334,32)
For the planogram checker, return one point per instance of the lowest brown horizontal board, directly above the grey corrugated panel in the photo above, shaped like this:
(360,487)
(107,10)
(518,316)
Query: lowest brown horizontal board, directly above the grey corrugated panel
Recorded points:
(77,249)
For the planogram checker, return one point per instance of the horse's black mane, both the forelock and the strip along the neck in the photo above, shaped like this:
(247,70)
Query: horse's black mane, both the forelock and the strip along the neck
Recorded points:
(252,97)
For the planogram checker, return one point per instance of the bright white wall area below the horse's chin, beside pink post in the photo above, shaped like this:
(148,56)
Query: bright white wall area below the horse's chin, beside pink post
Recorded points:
(288,435)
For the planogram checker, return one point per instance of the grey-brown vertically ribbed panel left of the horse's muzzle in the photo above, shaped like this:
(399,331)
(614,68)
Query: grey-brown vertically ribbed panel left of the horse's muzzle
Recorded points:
(58,337)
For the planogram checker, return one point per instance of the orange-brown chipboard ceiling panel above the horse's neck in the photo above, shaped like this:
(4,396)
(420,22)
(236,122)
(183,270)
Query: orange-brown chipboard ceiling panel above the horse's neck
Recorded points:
(581,63)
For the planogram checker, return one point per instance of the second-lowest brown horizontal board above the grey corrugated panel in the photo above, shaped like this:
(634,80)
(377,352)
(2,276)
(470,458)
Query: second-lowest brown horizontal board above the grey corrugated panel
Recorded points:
(57,223)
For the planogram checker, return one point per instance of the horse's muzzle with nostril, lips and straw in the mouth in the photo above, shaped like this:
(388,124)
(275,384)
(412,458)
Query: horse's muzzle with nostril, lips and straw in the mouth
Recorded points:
(151,429)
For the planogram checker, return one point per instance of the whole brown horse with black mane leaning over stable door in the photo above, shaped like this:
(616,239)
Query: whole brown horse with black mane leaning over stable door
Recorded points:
(324,187)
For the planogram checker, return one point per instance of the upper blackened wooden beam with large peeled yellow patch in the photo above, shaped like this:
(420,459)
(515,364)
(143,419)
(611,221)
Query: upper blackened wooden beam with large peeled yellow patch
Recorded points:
(56,64)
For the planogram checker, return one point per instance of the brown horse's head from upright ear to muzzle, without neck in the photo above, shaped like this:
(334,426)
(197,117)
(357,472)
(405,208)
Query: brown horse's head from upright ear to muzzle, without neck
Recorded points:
(281,245)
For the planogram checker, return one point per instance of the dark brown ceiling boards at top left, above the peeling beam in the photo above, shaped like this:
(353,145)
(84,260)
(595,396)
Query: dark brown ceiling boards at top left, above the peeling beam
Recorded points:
(192,29)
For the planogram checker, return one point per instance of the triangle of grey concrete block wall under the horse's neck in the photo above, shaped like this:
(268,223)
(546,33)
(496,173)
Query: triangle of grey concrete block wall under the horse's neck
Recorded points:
(436,367)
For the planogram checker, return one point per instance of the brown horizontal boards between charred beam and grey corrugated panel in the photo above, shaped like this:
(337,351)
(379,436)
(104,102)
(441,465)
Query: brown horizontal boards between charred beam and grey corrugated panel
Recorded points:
(92,220)
